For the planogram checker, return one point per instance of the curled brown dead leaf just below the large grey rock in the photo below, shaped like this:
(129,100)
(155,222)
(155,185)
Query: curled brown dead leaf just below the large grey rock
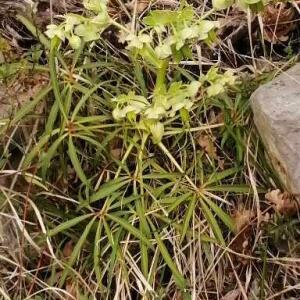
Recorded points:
(283,203)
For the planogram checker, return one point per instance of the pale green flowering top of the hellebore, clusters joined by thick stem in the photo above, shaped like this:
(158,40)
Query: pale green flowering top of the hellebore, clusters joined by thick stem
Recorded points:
(167,37)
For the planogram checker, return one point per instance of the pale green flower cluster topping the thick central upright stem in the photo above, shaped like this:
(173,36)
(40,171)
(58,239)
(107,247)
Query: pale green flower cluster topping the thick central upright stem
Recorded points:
(172,33)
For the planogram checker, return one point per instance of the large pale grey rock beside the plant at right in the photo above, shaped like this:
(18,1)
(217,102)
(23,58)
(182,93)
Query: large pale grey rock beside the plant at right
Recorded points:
(276,108)
